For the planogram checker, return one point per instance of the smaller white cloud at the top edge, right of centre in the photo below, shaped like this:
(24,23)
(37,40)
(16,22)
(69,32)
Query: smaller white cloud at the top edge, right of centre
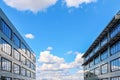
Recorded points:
(77,3)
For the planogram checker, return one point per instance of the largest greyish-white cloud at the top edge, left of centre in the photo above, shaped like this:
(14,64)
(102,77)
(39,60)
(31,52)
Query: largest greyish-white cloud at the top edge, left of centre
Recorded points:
(31,5)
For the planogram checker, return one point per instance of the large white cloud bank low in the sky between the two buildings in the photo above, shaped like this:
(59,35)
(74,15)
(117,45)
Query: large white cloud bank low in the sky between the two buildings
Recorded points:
(55,68)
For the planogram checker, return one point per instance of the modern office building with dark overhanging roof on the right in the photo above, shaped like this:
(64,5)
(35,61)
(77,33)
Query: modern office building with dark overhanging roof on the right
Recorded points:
(102,59)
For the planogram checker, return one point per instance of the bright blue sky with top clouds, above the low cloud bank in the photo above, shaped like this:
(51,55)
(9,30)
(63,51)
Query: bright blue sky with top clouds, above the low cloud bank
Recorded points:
(63,28)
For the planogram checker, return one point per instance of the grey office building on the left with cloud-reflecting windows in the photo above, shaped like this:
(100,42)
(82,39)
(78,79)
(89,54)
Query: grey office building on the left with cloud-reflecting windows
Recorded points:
(17,60)
